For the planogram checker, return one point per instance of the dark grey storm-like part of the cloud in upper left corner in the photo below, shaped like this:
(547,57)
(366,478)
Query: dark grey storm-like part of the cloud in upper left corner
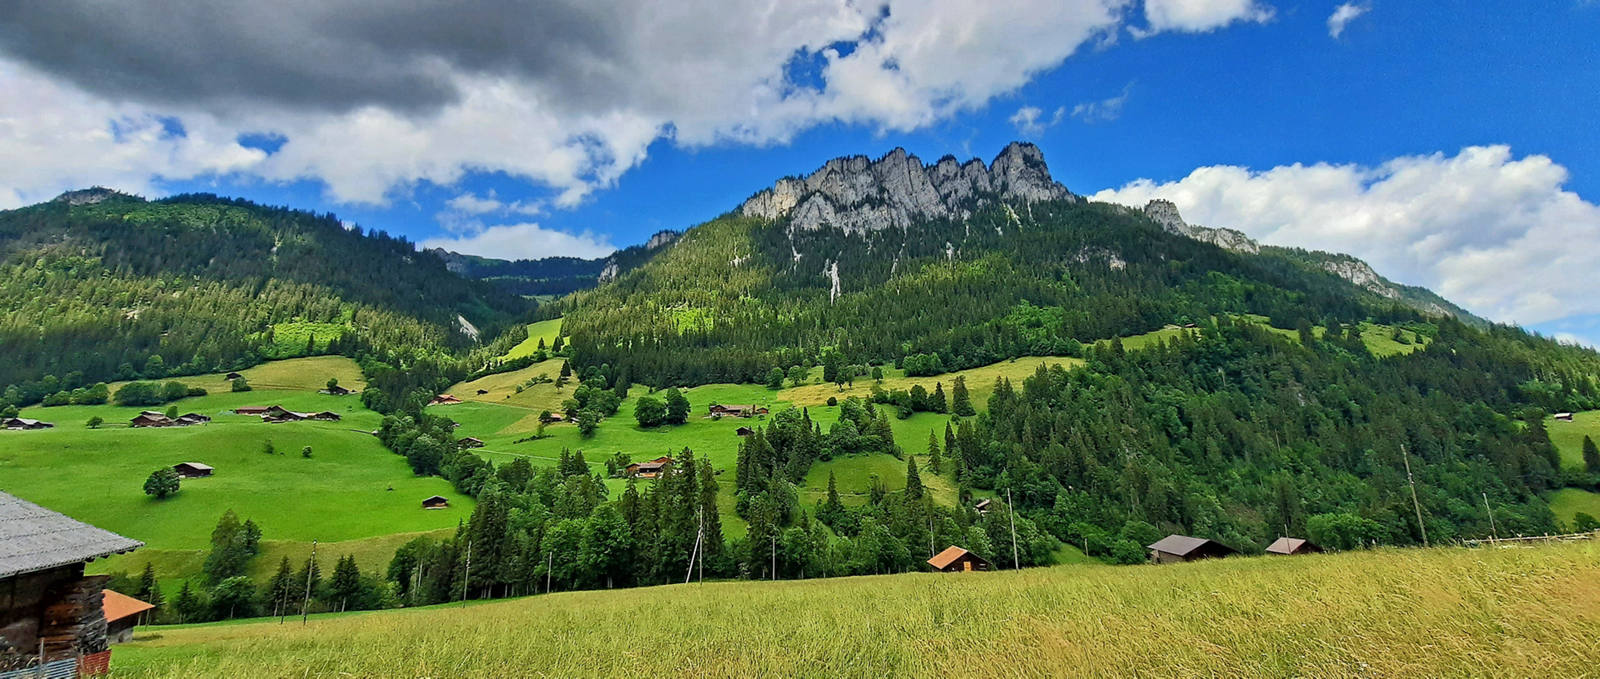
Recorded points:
(330,55)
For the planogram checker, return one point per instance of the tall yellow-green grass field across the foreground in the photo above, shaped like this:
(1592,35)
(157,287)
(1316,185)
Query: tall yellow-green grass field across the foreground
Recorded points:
(1391,614)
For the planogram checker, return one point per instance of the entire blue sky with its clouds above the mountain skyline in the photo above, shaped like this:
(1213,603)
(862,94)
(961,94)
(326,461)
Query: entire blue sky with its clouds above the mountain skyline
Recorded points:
(1447,143)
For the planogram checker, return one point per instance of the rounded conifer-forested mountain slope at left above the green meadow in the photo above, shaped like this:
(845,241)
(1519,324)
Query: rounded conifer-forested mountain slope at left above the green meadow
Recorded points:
(103,286)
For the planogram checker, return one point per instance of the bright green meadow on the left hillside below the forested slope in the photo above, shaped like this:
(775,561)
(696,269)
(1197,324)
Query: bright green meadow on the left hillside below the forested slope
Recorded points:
(351,491)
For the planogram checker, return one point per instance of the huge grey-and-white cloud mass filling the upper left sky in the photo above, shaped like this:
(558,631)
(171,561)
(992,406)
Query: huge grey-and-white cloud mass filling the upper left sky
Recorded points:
(374,100)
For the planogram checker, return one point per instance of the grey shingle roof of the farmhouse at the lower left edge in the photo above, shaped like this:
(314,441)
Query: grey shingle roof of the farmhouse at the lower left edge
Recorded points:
(38,539)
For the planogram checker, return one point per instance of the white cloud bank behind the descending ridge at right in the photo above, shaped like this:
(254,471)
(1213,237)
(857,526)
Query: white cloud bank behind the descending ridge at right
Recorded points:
(1494,233)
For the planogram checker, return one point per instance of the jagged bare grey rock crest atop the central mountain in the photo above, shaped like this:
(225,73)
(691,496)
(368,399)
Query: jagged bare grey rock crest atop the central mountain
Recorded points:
(857,195)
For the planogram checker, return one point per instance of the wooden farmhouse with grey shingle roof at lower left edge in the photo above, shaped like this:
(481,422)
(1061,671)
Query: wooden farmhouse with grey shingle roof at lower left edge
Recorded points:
(47,605)
